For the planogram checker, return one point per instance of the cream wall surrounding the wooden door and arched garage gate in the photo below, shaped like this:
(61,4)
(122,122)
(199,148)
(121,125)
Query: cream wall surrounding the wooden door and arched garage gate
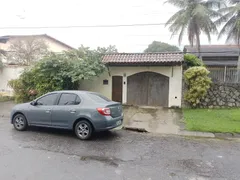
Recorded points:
(174,73)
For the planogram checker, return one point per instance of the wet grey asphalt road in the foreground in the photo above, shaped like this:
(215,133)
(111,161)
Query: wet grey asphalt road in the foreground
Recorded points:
(47,154)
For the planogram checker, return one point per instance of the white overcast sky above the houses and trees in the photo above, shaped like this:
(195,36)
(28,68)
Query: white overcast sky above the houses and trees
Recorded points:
(93,12)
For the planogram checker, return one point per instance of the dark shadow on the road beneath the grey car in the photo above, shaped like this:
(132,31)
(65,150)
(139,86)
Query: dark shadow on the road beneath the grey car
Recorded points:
(98,136)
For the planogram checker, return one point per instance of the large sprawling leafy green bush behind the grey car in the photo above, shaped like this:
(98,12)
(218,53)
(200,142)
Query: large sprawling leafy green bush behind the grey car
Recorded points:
(57,72)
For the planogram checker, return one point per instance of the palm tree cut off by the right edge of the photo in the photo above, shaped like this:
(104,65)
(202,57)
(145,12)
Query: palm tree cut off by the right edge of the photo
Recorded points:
(231,21)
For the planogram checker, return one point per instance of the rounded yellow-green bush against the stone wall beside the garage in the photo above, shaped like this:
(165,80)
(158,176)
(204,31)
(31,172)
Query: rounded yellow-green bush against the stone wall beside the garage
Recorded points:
(198,83)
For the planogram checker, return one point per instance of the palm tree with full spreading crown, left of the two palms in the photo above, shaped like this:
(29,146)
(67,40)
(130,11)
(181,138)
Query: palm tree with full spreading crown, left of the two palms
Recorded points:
(195,17)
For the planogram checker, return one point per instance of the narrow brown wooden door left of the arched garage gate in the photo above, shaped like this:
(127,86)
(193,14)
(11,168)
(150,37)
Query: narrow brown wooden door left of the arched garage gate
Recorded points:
(117,88)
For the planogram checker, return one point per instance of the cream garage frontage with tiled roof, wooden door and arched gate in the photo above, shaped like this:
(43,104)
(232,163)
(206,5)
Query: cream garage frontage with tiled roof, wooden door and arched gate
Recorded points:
(151,79)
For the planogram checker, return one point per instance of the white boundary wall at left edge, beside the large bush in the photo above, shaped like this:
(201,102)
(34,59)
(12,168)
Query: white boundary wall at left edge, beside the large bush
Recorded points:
(9,72)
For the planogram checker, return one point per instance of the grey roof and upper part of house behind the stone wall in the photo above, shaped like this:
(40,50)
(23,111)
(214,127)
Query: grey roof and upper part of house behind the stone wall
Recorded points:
(217,55)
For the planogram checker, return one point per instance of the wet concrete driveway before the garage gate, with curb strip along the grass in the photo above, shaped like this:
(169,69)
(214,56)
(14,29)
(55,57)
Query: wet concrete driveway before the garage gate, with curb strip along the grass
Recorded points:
(158,120)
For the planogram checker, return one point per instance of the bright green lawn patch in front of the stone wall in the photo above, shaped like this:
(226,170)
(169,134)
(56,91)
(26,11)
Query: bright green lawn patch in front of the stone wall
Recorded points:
(213,120)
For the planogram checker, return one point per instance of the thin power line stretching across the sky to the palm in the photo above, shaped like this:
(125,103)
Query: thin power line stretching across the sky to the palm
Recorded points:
(82,26)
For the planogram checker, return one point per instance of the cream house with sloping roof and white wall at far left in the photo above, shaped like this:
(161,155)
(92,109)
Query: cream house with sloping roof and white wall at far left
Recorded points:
(13,71)
